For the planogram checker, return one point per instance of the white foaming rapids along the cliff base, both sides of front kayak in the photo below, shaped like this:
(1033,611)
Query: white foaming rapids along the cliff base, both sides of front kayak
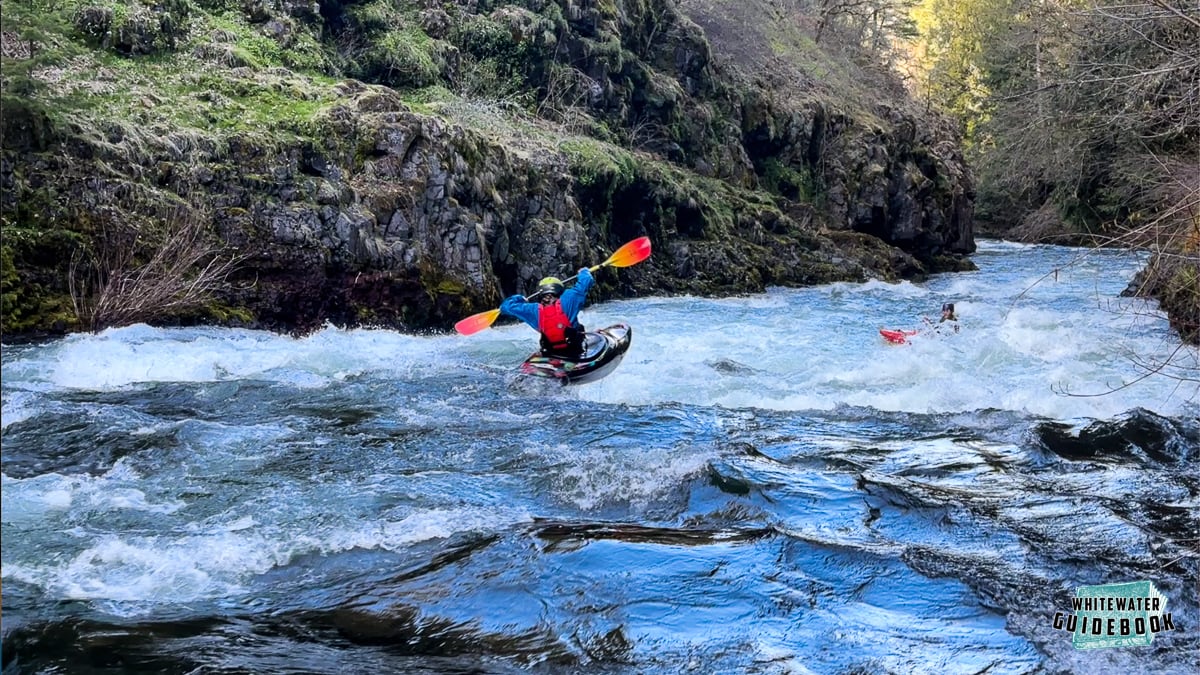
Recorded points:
(1058,343)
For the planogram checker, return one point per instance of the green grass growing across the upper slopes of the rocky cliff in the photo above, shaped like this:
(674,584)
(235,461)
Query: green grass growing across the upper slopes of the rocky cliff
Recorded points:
(215,73)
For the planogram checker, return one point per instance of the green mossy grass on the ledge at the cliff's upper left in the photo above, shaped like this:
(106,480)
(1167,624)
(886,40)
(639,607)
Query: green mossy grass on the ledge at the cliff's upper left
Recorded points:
(95,86)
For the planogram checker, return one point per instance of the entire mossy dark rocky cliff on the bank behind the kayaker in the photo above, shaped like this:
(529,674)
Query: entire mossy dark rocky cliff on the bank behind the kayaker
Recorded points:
(406,164)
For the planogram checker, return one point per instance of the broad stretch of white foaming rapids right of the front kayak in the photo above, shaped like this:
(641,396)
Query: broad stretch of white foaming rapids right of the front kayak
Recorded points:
(1025,343)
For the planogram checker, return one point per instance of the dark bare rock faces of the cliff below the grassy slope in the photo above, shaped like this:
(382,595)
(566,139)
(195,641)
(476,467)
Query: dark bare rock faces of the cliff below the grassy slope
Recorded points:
(387,216)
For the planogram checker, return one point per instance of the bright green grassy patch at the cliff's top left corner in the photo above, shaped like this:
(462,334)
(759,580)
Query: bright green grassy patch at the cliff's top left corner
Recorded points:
(220,76)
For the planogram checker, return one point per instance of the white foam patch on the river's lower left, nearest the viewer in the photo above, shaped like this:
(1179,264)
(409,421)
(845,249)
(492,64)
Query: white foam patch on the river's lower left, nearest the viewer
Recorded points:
(194,560)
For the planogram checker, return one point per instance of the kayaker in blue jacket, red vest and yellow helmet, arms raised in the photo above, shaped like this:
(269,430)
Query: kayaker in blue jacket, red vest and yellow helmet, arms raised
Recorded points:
(554,313)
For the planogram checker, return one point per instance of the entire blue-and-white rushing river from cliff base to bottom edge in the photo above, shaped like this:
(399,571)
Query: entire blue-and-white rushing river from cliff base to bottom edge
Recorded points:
(764,486)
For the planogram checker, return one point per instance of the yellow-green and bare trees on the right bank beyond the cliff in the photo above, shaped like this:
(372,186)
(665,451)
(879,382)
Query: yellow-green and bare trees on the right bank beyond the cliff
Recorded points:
(1081,116)
